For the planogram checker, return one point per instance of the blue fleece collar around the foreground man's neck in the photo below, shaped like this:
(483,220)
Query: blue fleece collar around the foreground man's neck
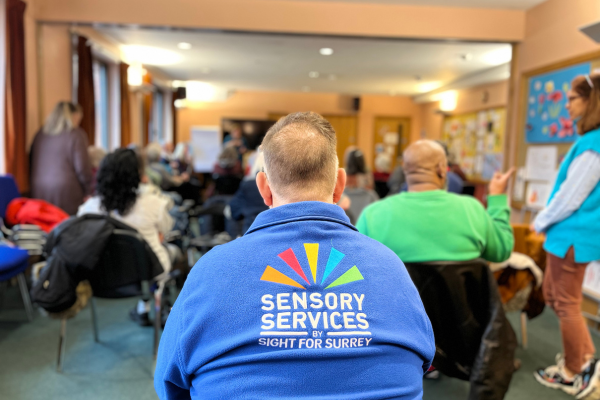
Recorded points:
(302,211)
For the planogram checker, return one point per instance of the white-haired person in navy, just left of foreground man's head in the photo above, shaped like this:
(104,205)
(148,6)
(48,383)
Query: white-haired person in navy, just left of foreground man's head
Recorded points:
(247,202)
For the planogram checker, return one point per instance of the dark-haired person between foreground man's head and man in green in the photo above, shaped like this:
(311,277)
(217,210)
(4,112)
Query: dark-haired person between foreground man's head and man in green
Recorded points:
(358,182)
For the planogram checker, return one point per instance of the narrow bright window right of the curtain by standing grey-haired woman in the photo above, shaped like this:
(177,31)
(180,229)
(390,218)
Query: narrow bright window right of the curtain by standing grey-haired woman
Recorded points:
(101,94)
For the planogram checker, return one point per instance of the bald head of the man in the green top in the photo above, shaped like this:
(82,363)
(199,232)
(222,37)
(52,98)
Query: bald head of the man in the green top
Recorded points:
(425,165)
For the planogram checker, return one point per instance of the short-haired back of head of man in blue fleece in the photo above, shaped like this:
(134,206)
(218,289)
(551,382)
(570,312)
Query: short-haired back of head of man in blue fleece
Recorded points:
(300,157)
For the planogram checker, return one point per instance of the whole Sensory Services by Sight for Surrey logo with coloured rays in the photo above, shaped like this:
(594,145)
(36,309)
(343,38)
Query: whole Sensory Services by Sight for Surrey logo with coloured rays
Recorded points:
(314,317)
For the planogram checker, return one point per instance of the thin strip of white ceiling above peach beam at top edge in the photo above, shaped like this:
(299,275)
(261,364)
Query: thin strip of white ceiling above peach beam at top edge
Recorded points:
(498,4)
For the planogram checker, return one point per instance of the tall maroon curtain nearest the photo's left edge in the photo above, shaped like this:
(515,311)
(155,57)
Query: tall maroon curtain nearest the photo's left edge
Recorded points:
(15,122)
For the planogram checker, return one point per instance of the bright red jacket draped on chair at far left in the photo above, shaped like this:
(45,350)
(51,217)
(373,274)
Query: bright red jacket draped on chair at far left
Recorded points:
(35,212)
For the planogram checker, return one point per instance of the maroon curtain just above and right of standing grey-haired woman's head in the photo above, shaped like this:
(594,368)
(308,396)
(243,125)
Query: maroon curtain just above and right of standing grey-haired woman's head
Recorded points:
(85,88)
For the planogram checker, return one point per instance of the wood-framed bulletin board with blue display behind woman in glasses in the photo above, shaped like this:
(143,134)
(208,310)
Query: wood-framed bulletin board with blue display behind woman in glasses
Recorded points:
(544,125)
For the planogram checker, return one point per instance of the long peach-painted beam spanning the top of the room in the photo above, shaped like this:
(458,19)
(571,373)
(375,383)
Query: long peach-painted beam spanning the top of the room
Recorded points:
(335,18)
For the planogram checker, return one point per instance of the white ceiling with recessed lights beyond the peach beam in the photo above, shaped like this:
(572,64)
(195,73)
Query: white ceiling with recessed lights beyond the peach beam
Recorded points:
(237,61)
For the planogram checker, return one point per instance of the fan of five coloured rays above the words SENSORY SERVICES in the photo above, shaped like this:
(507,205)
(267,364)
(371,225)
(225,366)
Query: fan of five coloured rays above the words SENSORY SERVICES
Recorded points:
(312,255)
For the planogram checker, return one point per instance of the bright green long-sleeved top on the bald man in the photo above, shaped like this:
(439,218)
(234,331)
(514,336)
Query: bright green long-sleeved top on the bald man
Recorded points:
(440,226)
